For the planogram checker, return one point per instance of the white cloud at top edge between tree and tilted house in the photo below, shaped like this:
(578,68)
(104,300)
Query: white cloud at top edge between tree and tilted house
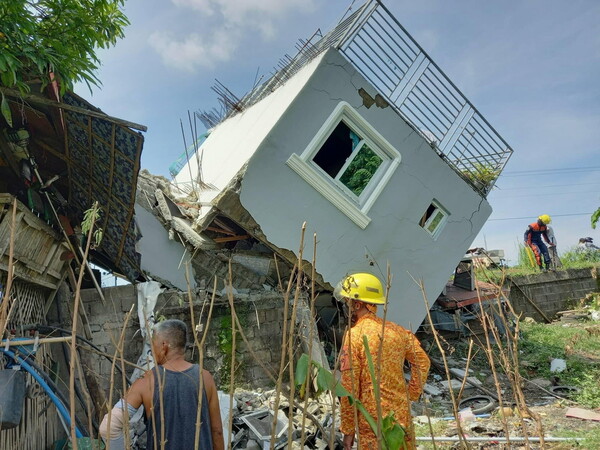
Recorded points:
(224,25)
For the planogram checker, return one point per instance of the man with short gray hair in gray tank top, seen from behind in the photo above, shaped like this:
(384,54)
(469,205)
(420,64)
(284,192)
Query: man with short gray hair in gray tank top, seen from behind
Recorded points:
(170,395)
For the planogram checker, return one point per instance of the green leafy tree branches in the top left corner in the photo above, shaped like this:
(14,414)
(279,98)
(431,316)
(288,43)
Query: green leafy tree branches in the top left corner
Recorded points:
(46,40)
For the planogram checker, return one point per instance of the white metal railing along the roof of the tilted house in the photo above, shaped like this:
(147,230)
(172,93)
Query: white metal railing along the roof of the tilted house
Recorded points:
(381,49)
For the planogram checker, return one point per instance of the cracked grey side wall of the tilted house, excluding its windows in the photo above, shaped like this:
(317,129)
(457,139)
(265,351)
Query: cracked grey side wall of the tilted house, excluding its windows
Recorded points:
(280,201)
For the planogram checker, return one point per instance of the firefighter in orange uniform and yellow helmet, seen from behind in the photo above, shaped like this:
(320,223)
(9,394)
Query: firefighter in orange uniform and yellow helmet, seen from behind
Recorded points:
(361,293)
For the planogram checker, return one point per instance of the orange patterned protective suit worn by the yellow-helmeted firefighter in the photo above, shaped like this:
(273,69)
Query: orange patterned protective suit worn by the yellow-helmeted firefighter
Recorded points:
(399,345)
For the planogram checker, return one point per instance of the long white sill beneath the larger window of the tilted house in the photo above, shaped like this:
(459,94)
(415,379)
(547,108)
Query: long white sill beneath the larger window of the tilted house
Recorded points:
(336,197)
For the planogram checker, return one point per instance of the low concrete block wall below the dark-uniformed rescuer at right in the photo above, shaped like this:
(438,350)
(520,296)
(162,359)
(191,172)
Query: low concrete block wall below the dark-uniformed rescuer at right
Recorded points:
(552,291)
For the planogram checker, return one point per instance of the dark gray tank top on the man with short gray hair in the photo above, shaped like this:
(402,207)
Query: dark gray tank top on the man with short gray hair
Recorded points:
(180,402)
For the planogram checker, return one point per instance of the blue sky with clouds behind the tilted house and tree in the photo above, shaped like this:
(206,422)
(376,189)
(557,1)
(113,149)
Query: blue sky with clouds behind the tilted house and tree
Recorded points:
(531,67)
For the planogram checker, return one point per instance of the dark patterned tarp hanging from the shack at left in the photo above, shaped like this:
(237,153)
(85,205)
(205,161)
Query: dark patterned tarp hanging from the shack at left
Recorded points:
(104,161)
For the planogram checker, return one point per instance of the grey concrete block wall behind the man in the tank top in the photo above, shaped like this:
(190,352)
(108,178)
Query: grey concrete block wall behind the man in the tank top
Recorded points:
(260,314)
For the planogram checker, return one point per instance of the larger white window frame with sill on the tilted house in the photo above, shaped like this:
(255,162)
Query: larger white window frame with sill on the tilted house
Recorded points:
(355,207)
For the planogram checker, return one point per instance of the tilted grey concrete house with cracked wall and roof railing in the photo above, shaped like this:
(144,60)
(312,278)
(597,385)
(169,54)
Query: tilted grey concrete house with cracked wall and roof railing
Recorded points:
(366,140)
